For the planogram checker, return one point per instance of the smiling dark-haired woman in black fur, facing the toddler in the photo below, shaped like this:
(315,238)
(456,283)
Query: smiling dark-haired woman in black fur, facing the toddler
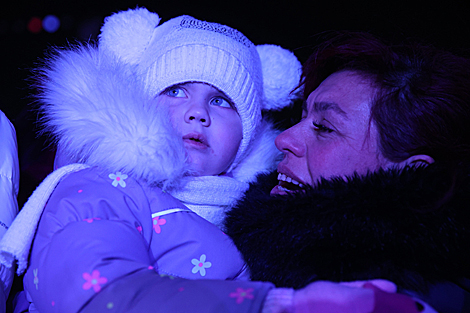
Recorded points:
(374,180)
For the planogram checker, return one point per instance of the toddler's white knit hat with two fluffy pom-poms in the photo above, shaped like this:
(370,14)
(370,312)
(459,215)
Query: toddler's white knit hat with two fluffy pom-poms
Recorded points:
(185,49)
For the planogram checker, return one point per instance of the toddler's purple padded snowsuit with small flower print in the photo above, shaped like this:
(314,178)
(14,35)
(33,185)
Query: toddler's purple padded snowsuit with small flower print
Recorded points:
(107,242)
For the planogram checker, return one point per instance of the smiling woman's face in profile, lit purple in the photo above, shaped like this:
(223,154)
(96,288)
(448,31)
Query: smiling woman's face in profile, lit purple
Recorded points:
(333,138)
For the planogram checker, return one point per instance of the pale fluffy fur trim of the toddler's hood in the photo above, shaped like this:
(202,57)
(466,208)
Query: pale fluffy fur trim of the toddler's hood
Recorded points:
(95,108)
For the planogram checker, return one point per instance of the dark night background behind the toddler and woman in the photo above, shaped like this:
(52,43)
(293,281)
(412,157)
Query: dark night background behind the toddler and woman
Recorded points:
(296,25)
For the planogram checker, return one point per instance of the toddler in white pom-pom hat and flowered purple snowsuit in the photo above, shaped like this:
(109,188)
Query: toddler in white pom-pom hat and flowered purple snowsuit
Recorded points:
(159,131)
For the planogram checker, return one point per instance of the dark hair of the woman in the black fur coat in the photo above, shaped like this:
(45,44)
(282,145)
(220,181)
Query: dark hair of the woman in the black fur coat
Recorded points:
(422,105)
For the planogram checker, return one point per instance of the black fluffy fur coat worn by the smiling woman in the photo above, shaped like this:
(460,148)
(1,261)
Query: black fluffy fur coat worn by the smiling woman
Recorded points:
(411,227)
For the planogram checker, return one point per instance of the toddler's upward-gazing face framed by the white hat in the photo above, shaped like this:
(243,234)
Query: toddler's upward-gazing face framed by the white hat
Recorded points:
(208,123)
